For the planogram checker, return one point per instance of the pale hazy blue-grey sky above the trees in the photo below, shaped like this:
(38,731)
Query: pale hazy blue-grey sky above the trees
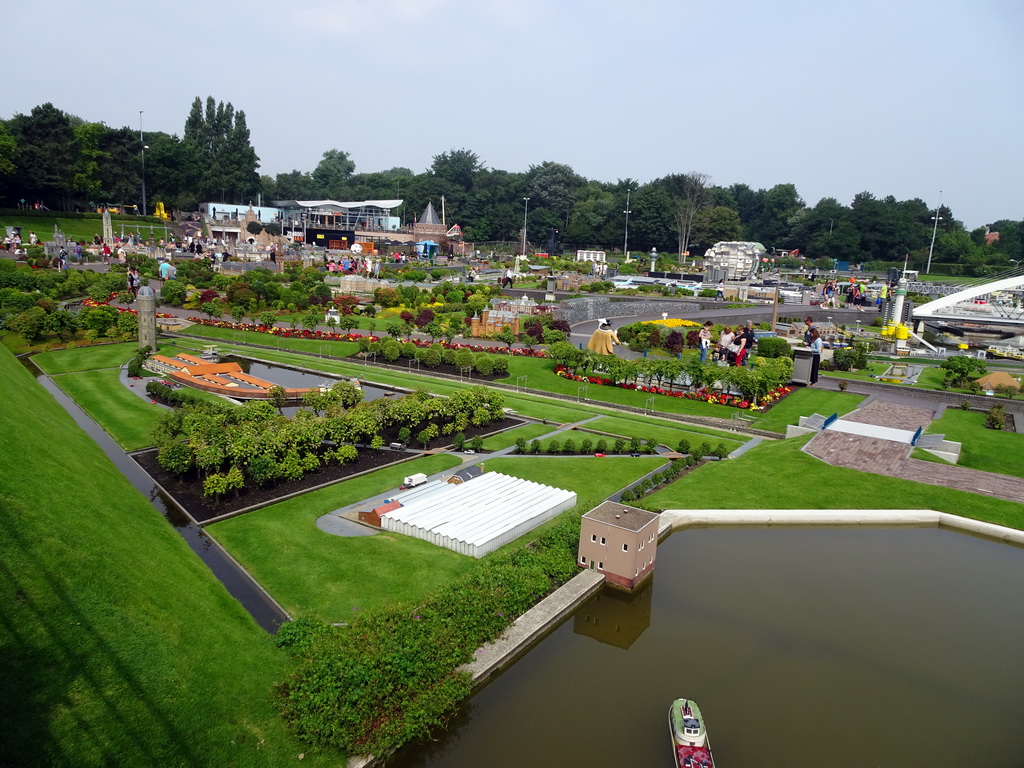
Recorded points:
(898,98)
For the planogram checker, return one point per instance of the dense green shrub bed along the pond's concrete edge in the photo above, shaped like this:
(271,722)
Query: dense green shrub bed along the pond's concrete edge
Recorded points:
(394,675)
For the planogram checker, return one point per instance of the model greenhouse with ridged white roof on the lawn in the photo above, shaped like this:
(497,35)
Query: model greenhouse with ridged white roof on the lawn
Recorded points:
(479,517)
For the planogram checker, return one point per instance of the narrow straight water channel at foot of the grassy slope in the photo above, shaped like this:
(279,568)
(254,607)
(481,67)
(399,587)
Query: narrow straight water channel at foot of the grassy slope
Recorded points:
(269,615)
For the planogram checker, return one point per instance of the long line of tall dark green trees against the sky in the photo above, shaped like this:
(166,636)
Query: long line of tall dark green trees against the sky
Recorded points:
(70,164)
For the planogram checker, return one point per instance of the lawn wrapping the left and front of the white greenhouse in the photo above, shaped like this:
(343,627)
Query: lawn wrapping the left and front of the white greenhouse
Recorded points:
(311,572)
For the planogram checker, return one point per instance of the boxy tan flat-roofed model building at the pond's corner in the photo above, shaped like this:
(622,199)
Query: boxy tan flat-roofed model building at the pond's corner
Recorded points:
(619,541)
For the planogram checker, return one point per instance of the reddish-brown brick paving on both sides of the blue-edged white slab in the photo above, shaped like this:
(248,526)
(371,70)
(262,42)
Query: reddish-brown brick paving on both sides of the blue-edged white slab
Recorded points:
(893,458)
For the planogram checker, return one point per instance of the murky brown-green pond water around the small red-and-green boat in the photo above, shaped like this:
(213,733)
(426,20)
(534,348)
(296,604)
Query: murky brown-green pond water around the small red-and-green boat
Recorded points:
(826,648)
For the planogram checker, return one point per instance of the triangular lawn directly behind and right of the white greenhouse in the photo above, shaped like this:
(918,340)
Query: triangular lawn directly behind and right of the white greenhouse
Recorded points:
(592,480)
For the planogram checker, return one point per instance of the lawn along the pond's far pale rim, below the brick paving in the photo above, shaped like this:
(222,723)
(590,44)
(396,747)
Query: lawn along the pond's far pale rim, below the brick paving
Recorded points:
(781,477)
